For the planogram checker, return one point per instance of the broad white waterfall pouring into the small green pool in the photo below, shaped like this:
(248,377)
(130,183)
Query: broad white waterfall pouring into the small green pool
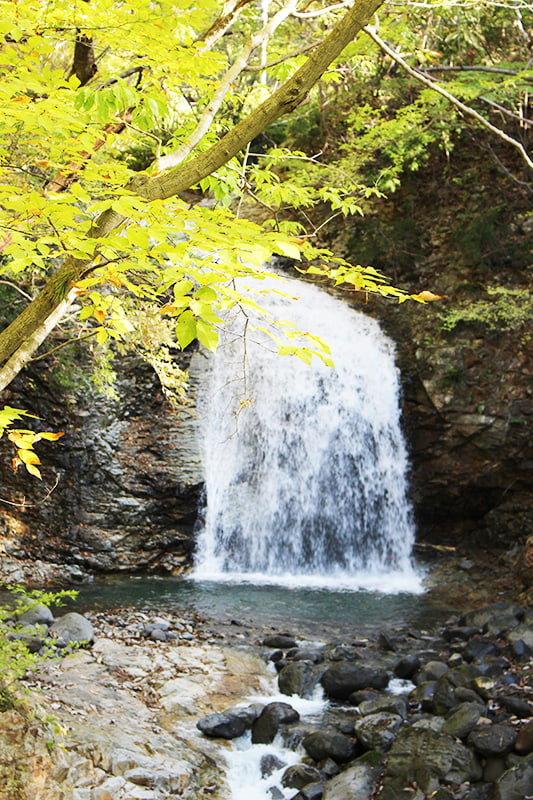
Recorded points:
(305,465)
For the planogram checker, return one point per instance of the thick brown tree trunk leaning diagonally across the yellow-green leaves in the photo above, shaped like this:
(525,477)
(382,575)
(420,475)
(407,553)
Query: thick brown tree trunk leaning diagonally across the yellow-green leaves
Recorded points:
(176,180)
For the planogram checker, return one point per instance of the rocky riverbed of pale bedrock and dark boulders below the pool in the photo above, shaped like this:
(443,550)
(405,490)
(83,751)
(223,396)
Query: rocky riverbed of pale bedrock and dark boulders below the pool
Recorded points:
(146,709)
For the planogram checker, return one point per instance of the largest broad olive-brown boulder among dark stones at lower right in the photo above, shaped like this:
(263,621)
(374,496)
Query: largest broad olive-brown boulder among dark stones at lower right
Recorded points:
(416,752)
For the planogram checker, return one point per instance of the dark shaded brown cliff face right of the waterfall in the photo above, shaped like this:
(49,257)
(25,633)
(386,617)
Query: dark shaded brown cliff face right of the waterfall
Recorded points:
(456,229)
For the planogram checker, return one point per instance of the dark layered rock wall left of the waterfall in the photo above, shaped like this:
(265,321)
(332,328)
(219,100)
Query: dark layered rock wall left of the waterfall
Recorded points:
(128,477)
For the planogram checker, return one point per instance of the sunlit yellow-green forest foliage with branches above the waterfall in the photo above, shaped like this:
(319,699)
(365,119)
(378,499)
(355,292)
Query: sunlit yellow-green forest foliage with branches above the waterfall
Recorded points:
(154,152)
